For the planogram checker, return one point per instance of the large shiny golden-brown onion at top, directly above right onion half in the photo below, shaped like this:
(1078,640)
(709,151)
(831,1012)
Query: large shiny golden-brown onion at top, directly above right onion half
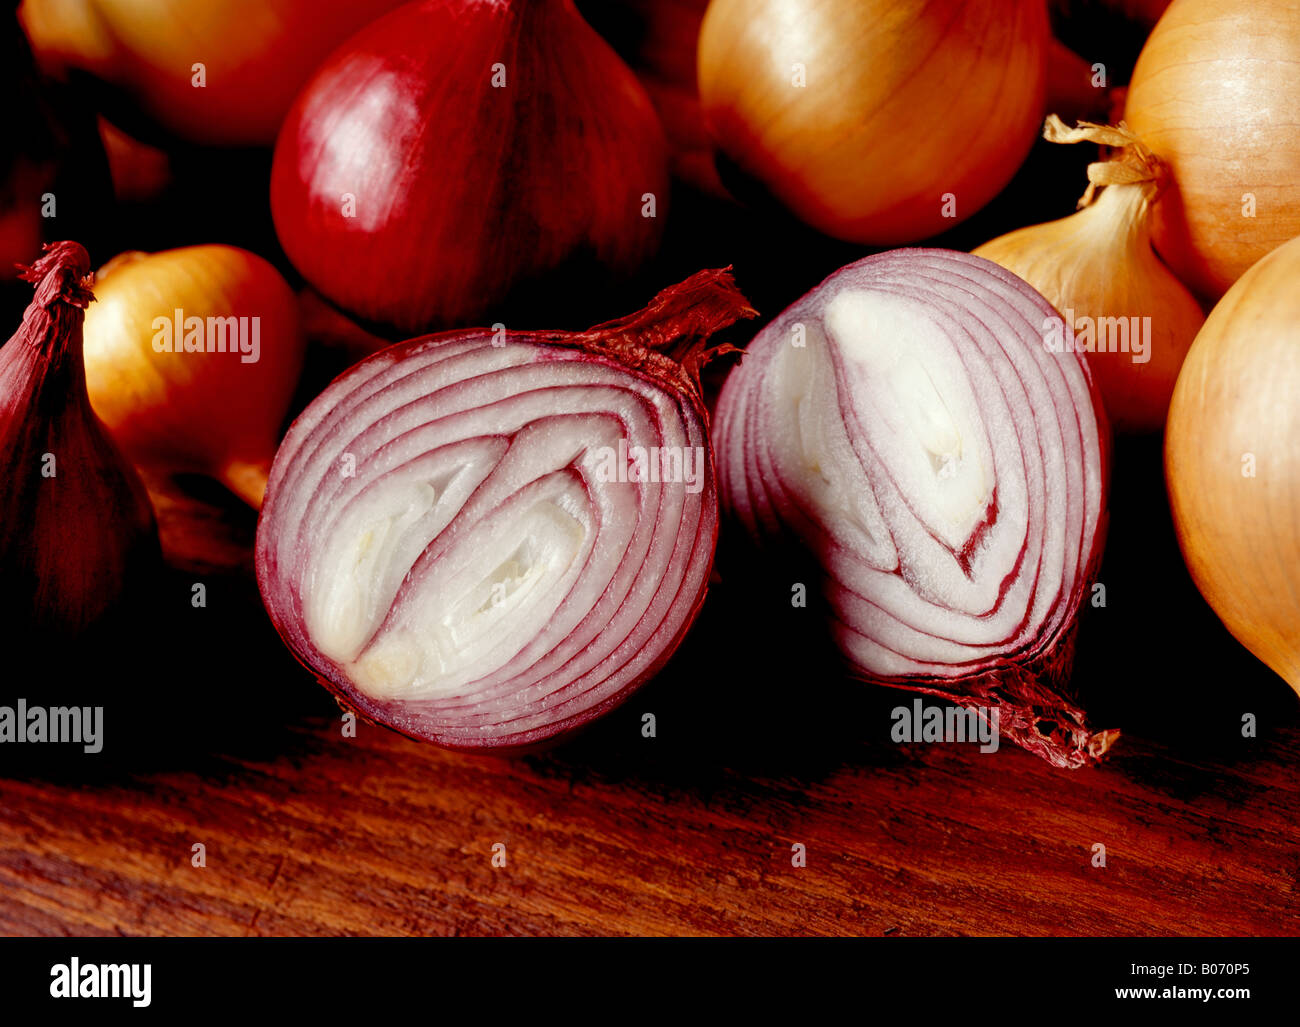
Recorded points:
(905,102)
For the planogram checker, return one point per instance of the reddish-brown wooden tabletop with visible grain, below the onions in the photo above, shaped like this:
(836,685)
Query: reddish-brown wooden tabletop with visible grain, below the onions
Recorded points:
(384,837)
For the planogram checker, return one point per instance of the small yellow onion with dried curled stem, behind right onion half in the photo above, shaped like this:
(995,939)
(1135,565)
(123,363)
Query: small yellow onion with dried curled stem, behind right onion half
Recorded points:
(1126,310)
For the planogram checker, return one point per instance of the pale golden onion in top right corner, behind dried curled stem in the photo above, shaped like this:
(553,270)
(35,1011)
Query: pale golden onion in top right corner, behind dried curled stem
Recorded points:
(1211,96)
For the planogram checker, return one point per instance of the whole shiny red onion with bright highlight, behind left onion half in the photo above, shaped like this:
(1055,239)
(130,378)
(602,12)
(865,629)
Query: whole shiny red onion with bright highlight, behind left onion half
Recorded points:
(413,193)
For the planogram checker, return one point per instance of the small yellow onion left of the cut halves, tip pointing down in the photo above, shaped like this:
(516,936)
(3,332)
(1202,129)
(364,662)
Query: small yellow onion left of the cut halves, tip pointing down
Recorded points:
(209,413)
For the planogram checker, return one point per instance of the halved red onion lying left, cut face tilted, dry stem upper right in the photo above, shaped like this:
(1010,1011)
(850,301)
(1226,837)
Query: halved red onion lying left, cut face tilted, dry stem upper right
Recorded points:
(487,540)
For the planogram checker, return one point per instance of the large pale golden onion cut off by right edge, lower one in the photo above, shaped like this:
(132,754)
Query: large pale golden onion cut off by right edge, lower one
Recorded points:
(1233,462)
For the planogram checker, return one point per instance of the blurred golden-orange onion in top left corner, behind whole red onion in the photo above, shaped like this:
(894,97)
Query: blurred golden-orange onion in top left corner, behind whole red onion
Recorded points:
(255,55)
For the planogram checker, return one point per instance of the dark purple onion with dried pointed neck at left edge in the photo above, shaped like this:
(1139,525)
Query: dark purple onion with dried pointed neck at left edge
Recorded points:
(77,532)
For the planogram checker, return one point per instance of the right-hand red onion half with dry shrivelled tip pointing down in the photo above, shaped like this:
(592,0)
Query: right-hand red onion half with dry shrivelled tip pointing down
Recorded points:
(913,423)
